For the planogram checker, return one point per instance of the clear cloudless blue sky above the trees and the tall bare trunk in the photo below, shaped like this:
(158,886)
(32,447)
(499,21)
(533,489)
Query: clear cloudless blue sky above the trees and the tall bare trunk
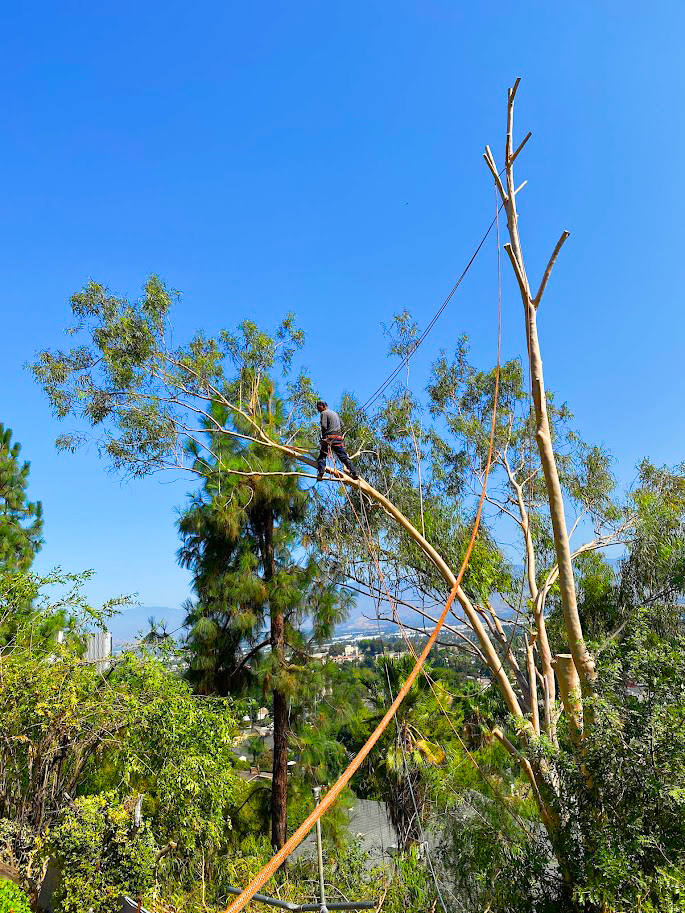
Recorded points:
(326,158)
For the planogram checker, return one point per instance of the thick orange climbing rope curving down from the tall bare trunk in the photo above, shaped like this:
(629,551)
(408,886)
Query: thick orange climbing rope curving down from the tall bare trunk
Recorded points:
(279,858)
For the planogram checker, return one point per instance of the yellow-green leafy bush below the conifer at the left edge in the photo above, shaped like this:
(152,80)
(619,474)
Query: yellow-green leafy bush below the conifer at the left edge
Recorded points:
(69,729)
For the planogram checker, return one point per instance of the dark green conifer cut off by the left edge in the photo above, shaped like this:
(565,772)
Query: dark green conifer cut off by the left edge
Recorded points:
(21,520)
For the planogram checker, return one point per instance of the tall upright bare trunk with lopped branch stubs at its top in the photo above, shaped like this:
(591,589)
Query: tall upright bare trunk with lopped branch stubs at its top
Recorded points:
(581,657)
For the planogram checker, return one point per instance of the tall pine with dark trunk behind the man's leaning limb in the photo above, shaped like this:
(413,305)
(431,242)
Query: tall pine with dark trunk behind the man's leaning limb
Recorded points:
(255,584)
